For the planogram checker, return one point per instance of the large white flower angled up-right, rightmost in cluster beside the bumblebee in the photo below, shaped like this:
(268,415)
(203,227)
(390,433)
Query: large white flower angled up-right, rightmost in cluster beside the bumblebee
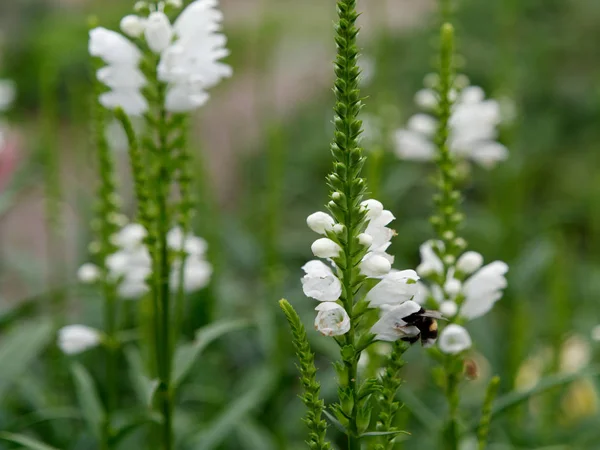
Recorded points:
(483,289)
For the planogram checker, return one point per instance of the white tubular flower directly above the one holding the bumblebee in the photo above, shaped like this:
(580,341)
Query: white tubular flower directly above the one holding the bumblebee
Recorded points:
(396,287)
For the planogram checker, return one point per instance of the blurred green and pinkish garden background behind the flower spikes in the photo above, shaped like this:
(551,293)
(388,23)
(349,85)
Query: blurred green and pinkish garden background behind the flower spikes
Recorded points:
(261,148)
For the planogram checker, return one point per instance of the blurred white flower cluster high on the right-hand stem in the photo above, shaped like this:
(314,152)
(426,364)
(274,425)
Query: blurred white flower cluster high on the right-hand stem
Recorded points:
(473,127)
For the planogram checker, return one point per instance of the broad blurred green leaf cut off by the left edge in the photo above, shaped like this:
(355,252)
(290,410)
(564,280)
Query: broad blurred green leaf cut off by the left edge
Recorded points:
(20,348)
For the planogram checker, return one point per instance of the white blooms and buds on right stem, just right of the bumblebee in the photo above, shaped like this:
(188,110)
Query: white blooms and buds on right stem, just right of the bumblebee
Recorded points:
(462,290)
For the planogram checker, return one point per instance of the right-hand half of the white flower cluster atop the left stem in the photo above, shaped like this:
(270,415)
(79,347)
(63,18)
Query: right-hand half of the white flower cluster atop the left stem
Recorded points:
(191,64)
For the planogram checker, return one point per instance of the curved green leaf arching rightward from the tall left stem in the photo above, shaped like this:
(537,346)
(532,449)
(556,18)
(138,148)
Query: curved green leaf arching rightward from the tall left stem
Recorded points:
(187,354)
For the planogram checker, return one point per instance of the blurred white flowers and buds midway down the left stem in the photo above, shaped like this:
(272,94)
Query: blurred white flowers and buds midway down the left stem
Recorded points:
(131,265)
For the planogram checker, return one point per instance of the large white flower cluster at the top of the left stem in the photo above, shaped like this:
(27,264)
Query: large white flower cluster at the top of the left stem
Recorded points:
(189,52)
